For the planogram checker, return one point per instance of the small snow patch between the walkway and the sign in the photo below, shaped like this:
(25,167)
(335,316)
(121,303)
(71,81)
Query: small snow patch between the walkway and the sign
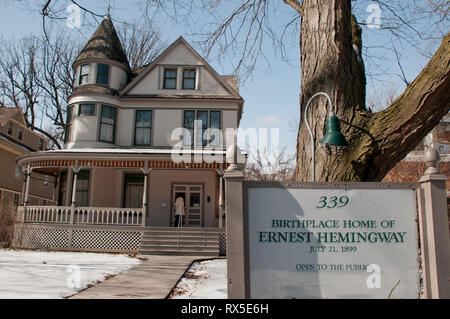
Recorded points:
(204,280)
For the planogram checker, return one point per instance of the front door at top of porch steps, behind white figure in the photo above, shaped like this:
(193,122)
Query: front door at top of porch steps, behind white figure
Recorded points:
(193,203)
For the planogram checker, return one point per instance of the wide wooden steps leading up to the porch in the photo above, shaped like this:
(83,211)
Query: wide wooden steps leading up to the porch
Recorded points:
(187,241)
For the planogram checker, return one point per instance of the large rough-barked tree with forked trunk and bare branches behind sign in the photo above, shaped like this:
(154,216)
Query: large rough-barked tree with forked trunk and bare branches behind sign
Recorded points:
(332,53)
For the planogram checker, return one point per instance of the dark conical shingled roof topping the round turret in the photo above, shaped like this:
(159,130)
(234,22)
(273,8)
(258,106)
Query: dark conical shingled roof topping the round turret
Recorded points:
(104,44)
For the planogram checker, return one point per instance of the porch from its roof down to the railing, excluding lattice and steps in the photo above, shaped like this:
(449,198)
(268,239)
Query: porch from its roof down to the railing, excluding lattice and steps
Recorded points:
(116,188)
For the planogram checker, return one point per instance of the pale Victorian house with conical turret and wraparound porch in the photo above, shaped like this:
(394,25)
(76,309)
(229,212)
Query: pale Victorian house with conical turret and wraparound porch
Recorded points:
(116,167)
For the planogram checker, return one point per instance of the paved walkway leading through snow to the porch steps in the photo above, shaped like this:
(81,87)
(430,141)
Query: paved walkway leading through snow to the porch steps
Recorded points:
(152,279)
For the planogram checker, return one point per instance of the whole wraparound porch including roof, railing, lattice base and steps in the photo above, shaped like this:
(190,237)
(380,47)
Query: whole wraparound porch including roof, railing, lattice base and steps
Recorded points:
(120,201)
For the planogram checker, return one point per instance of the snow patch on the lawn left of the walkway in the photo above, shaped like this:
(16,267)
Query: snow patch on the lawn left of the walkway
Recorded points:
(39,274)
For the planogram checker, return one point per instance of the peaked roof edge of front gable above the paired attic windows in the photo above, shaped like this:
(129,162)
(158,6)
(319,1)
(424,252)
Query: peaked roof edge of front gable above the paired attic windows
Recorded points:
(222,80)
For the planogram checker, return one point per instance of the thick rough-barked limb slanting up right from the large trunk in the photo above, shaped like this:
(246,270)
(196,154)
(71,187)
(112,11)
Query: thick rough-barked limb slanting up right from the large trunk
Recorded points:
(394,132)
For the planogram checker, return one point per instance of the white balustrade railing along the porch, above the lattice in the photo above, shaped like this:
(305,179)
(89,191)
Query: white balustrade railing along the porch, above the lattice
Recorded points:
(83,215)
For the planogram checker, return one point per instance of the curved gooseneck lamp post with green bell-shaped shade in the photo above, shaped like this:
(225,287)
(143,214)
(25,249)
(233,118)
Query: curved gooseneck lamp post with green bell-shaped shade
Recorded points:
(333,140)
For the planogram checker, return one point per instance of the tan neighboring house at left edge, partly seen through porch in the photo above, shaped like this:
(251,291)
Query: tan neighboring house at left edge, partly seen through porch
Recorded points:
(16,140)
